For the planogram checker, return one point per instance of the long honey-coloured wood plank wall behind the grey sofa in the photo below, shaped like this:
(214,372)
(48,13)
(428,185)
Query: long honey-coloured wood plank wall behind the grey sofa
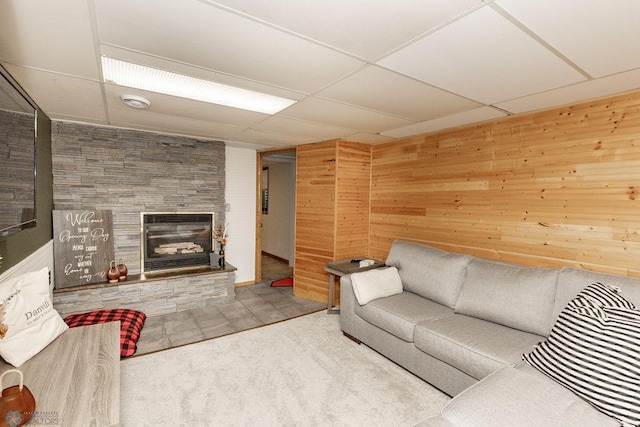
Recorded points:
(558,187)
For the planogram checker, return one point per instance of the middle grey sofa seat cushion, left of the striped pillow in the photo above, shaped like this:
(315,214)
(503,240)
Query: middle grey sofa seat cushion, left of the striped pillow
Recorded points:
(474,346)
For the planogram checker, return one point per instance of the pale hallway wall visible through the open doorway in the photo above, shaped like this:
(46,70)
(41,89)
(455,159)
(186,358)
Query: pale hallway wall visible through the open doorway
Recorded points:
(278,224)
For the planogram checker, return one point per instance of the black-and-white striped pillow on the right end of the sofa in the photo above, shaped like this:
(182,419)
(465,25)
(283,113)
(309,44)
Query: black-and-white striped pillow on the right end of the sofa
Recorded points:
(594,350)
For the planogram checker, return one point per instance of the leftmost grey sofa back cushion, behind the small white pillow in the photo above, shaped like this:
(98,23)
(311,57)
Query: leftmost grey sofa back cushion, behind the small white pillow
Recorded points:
(429,272)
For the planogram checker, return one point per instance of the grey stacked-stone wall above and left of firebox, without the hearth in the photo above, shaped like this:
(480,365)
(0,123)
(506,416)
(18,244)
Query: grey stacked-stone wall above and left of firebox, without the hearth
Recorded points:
(129,172)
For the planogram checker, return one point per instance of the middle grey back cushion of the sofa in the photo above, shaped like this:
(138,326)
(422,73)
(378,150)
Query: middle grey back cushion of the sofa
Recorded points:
(516,296)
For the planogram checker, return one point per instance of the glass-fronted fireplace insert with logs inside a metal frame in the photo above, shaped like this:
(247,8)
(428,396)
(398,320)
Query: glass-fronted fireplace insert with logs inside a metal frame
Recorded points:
(175,241)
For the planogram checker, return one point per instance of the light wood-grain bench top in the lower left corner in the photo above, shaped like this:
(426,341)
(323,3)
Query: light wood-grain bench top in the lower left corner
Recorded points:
(76,378)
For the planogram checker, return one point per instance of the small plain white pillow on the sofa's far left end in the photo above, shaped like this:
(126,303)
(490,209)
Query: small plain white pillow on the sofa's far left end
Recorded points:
(378,283)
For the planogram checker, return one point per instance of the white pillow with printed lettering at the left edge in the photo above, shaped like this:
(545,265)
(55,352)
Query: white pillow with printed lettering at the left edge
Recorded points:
(28,322)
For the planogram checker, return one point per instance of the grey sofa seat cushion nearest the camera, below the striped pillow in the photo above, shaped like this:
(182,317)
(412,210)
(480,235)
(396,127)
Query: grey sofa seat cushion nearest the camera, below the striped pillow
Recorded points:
(516,397)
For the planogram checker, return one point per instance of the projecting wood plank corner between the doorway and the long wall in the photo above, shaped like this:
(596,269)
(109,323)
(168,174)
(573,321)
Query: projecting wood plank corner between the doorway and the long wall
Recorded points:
(332,208)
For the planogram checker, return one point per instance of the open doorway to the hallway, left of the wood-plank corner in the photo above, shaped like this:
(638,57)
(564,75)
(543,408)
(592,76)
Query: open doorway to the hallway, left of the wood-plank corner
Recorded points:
(276,212)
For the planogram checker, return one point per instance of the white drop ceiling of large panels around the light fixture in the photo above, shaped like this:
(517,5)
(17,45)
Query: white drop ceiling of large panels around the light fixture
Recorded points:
(362,70)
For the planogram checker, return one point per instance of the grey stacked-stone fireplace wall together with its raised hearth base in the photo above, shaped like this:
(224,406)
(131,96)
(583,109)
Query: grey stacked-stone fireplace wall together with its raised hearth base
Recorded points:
(129,172)
